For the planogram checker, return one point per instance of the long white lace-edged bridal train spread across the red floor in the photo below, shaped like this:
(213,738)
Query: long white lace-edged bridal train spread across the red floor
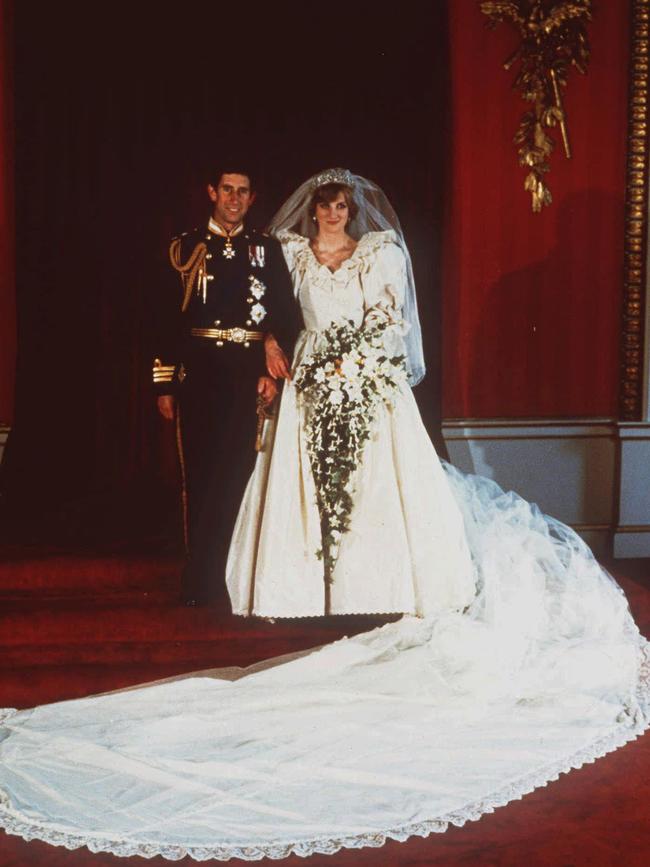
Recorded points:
(399,731)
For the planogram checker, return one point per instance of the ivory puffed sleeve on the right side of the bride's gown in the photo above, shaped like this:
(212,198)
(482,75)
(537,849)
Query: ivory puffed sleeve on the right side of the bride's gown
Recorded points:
(384,279)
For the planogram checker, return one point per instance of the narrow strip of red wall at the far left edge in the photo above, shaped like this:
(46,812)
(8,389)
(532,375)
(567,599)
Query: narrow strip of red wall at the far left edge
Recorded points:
(7,265)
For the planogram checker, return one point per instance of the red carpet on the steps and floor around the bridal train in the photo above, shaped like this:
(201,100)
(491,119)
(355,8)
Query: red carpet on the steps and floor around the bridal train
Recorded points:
(71,626)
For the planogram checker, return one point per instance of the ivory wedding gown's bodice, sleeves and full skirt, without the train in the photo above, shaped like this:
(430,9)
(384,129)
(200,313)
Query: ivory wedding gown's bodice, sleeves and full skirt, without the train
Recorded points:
(406,549)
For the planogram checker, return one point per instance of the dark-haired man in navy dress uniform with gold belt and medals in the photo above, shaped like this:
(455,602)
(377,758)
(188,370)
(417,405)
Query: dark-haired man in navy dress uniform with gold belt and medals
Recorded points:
(222,343)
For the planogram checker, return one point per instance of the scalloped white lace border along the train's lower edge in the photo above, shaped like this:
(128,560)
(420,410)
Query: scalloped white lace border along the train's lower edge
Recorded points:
(14,823)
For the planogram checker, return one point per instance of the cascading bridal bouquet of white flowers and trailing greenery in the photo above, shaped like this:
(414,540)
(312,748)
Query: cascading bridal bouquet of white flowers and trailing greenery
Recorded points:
(343,385)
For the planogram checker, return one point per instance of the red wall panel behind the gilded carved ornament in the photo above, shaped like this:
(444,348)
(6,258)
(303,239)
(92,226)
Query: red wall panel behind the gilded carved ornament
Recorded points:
(532,301)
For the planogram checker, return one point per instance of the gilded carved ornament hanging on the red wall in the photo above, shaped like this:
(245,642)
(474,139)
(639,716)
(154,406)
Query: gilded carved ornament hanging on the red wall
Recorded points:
(553,39)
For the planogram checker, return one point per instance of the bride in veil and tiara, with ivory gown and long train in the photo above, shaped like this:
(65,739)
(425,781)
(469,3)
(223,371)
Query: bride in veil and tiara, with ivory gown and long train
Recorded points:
(522,664)
